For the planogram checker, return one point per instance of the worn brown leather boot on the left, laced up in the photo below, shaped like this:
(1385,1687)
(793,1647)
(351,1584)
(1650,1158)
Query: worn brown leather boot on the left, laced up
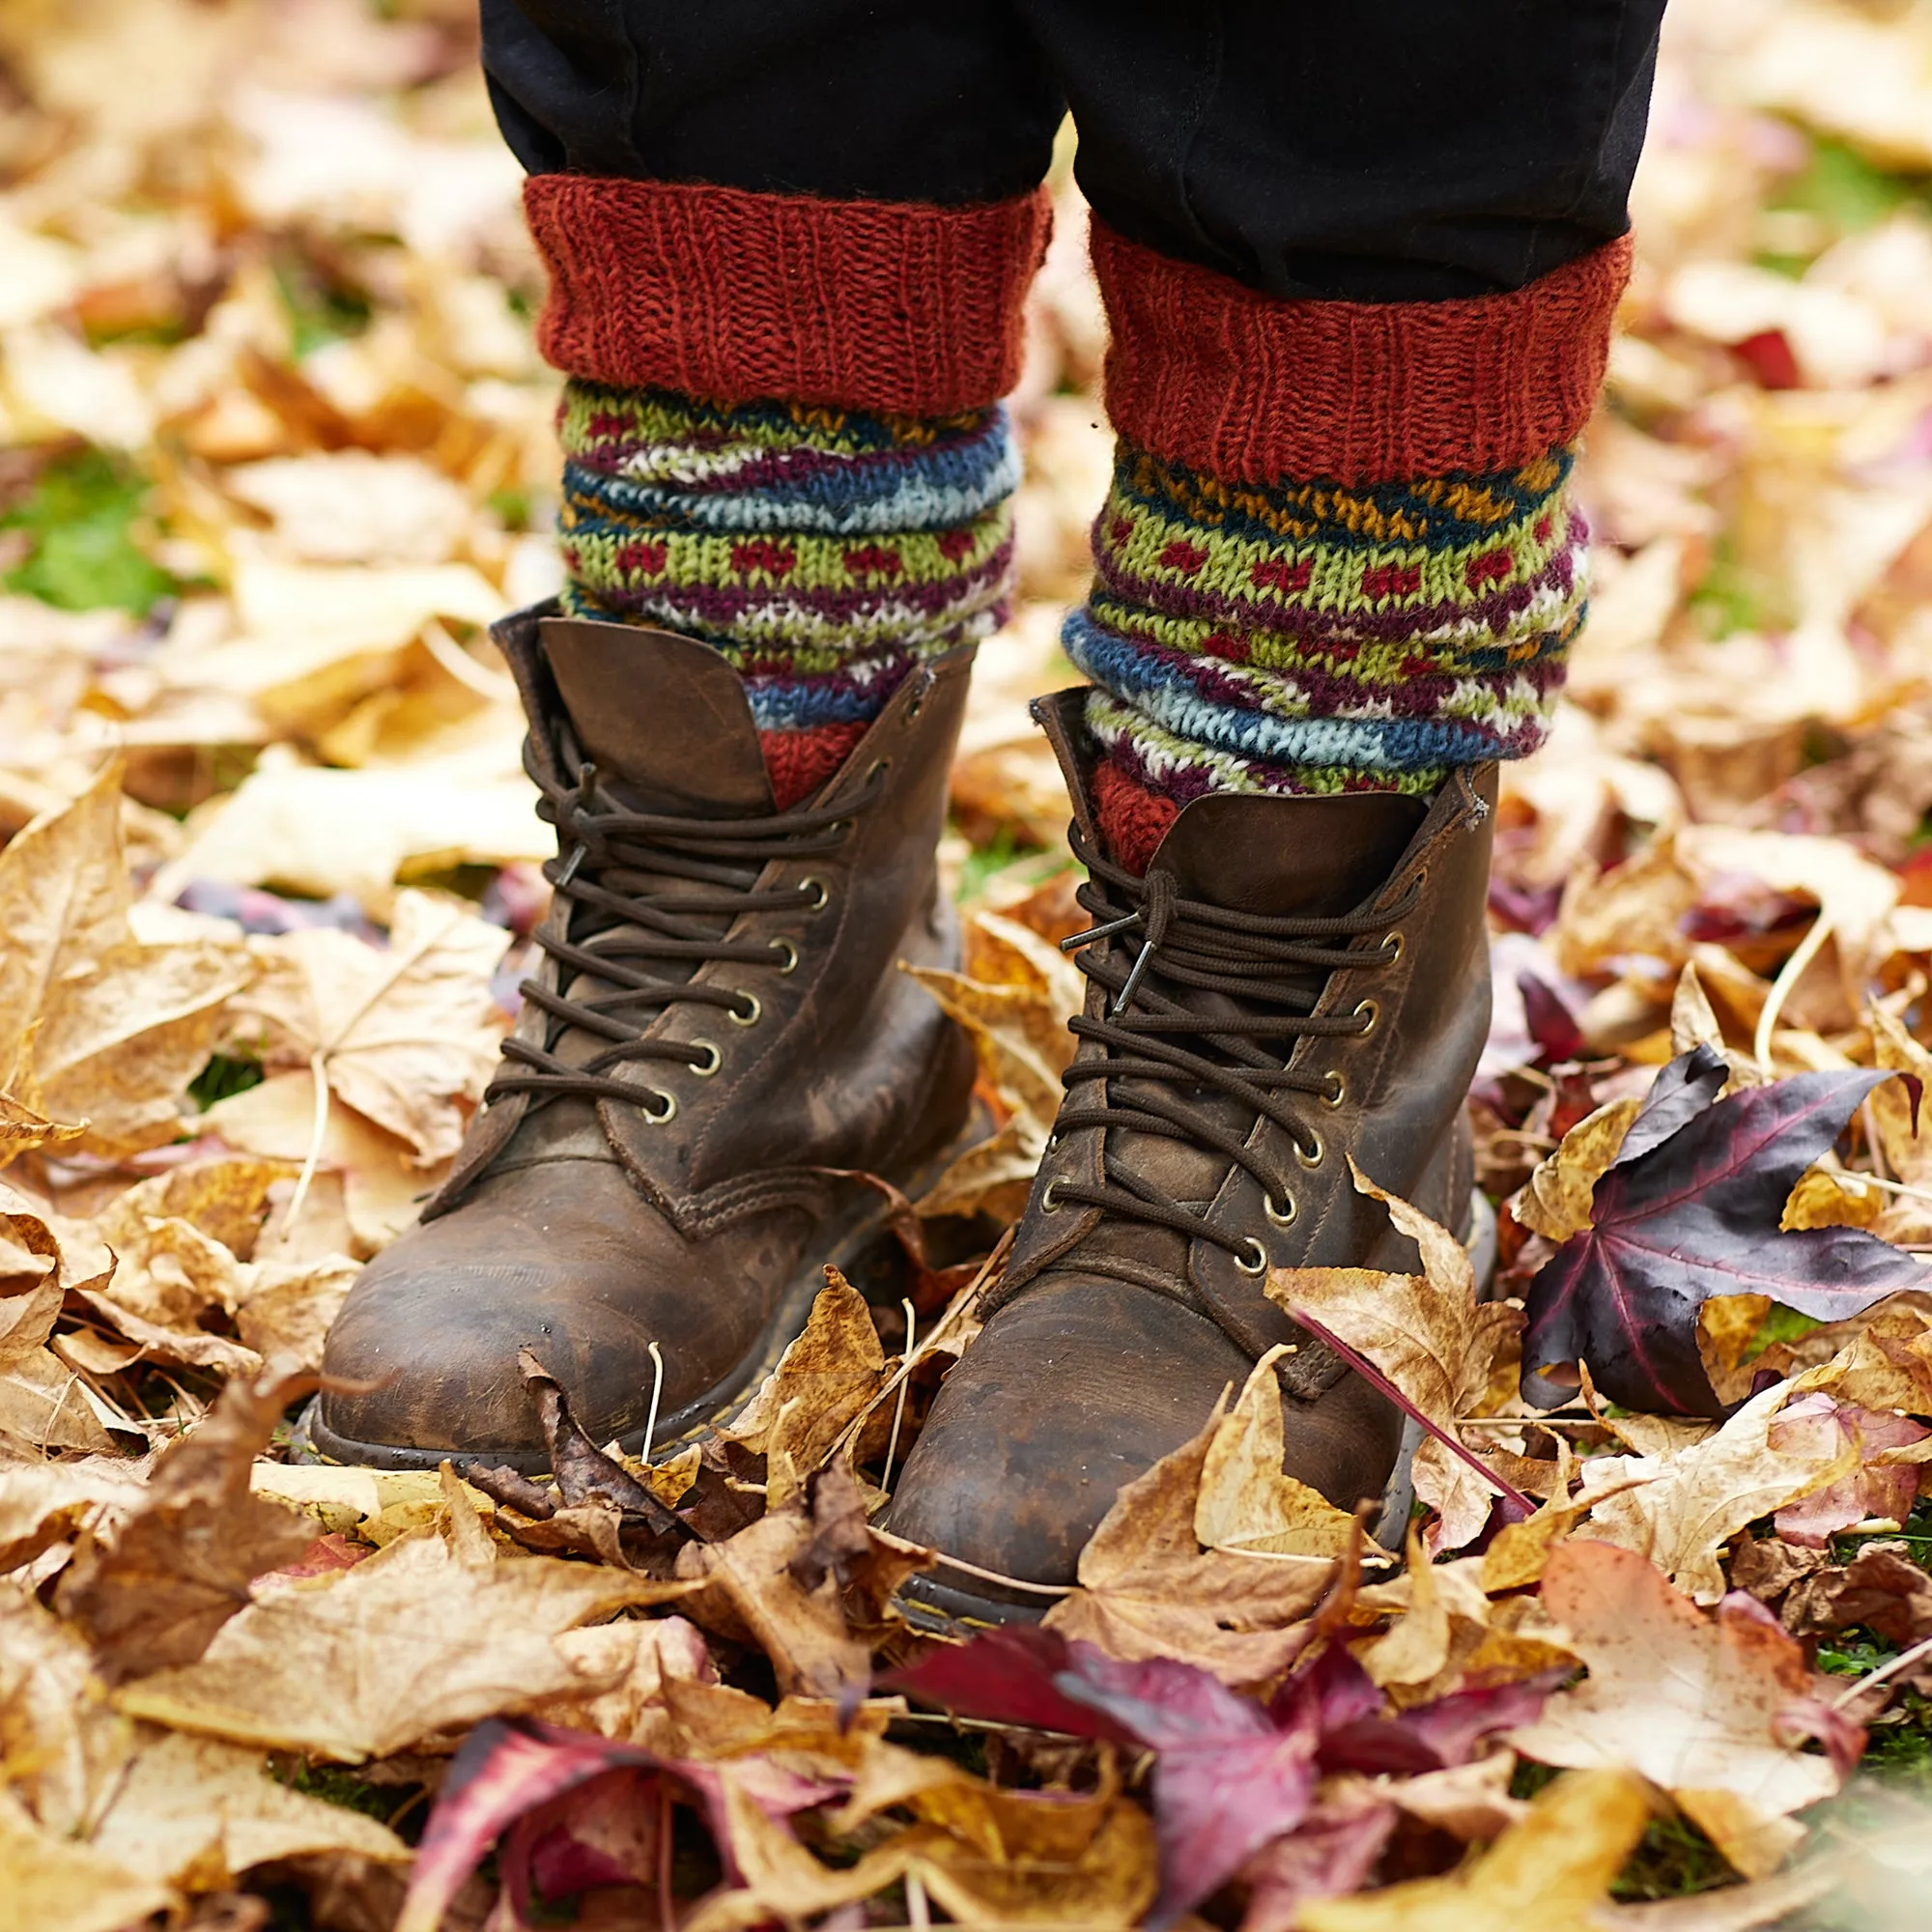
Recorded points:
(716,1044)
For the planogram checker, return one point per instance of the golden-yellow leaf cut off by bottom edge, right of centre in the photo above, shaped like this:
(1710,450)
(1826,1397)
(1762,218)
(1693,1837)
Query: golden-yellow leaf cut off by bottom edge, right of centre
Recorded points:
(1554,1871)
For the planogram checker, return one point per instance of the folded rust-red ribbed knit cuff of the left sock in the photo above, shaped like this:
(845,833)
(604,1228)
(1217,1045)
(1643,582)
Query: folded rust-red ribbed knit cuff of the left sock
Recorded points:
(731,297)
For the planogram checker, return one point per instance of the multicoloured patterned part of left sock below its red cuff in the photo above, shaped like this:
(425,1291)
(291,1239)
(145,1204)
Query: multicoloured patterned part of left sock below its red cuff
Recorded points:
(822,552)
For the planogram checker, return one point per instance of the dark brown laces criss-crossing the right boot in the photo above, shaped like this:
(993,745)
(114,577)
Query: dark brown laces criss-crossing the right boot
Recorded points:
(1276,967)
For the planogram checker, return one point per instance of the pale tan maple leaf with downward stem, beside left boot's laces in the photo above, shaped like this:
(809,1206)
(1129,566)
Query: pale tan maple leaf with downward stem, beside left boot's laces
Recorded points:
(407,1037)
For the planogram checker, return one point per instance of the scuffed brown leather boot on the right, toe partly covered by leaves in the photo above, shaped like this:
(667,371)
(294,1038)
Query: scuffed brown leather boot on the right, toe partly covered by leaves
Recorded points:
(1293,982)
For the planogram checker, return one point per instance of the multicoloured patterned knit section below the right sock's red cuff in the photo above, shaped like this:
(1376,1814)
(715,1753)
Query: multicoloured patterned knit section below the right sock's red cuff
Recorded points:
(1309,639)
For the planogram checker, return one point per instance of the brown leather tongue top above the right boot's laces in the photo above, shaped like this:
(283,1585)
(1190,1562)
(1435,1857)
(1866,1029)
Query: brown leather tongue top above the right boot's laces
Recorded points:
(1309,857)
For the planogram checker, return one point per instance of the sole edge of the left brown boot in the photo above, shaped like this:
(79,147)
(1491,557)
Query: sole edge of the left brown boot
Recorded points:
(861,1239)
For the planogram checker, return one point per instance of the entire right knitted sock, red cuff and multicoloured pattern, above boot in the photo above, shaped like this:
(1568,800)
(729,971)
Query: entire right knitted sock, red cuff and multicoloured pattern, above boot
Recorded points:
(1338,554)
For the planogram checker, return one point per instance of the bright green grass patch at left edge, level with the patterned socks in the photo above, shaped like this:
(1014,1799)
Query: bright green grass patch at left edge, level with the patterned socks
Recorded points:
(82,555)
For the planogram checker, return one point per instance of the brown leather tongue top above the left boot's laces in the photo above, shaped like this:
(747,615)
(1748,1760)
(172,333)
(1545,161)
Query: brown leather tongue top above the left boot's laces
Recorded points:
(664,718)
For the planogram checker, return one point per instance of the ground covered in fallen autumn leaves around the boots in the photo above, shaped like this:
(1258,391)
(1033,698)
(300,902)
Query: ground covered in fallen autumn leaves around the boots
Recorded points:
(273,453)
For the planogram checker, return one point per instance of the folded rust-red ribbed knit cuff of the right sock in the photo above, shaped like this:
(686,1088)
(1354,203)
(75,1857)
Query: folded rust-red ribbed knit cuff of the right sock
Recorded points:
(1251,389)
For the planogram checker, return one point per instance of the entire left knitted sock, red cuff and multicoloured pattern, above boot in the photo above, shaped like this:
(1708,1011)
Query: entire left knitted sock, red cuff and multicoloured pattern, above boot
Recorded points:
(826,542)
